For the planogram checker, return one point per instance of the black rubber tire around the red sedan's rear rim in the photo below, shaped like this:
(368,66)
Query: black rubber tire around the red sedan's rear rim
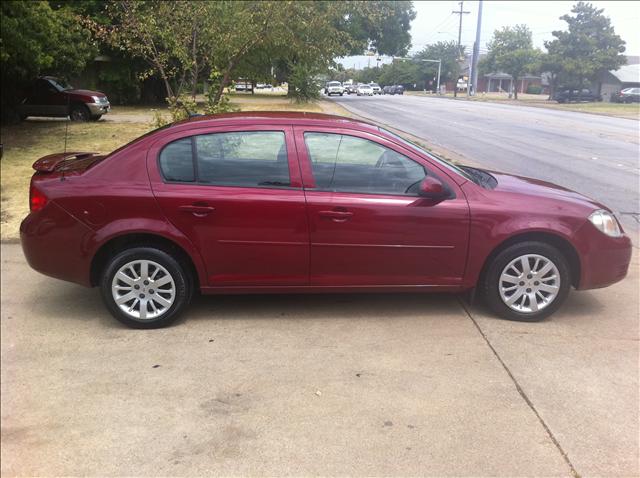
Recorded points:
(183,286)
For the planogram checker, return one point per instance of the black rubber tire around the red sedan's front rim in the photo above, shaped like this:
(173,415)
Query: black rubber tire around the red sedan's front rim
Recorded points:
(490,281)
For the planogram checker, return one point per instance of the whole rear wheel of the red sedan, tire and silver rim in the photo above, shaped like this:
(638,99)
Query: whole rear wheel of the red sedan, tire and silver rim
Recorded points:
(145,288)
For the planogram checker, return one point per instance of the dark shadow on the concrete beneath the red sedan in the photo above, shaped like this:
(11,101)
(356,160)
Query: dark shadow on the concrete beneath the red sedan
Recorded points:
(69,301)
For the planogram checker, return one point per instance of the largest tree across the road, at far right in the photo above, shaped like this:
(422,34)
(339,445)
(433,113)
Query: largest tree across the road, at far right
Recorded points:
(589,48)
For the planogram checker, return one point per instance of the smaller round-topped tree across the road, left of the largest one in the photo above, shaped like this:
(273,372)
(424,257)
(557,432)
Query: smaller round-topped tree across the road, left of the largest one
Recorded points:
(511,51)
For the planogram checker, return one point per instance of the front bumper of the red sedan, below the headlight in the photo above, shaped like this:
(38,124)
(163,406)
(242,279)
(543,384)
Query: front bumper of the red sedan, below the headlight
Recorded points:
(604,260)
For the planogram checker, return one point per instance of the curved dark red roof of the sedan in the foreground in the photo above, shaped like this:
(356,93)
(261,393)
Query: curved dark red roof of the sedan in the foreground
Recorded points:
(274,117)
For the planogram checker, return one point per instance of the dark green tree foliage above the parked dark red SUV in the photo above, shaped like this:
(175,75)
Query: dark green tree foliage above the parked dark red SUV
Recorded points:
(37,40)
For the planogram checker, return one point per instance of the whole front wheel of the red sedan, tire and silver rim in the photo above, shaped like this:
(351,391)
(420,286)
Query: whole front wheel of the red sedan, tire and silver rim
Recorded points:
(527,281)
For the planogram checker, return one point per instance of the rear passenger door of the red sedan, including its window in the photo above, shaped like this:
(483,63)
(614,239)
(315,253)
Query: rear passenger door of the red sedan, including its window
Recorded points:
(236,193)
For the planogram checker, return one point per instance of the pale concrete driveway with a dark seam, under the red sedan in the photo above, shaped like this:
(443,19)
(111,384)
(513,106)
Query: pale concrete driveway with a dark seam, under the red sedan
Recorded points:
(351,385)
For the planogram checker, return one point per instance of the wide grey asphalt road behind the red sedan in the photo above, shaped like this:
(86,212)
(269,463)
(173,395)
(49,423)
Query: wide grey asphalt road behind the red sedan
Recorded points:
(597,156)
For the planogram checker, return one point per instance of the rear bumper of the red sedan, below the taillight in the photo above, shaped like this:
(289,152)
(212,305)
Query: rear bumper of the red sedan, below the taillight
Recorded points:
(54,244)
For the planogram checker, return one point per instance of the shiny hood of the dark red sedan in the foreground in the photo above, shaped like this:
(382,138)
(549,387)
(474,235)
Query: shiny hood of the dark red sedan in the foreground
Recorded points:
(521,185)
